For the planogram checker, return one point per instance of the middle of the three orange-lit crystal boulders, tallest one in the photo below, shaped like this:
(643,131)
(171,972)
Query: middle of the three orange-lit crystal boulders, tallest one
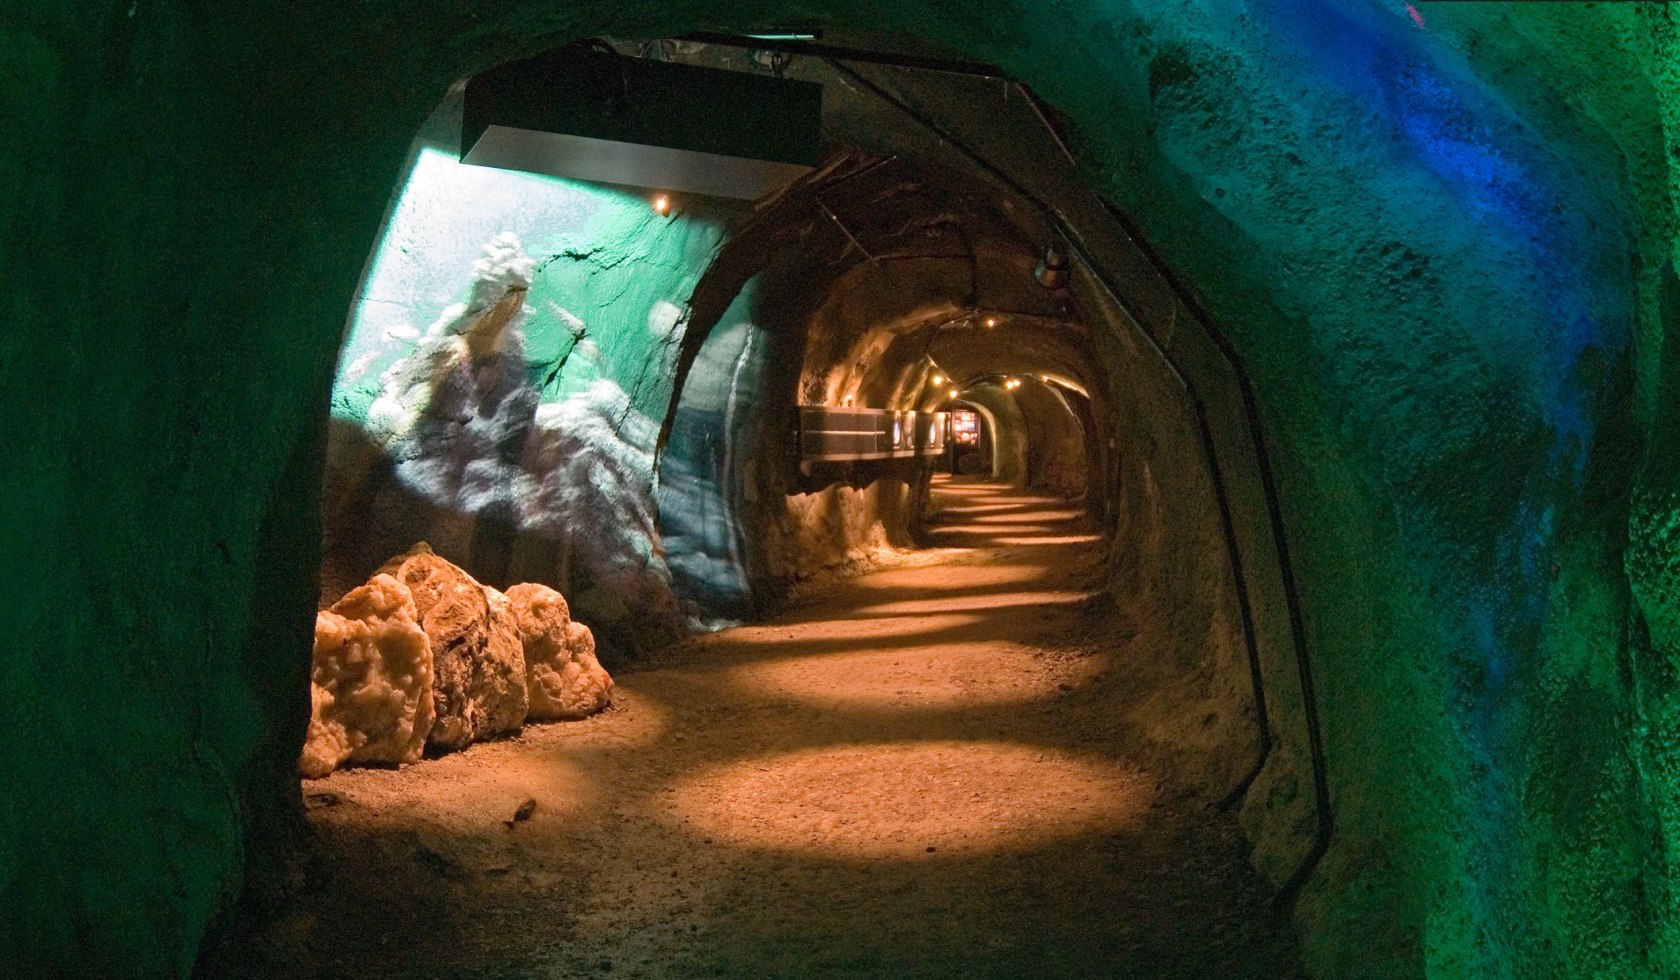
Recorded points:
(478,661)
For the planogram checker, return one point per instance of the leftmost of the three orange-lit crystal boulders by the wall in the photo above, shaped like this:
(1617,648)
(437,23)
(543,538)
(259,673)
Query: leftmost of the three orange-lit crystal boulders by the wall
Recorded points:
(372,683)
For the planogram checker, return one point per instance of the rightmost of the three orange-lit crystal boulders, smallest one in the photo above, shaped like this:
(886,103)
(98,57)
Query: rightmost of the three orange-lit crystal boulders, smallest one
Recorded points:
(562,673)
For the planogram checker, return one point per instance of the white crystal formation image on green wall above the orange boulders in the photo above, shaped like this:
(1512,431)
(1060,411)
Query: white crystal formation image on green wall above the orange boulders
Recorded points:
(512,487)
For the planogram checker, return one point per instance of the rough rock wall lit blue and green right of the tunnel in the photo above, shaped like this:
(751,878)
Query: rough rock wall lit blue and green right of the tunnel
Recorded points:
(1424,258)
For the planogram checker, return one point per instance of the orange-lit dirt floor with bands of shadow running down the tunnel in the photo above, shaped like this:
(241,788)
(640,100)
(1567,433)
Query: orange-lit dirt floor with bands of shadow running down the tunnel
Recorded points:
(915,772)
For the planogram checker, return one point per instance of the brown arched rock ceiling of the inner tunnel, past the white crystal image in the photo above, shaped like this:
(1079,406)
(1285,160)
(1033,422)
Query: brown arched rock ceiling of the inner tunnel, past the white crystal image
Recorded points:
(896,260)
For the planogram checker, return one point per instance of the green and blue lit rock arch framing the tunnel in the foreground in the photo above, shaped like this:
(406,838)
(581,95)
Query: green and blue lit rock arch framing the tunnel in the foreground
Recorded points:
(1442,245)
